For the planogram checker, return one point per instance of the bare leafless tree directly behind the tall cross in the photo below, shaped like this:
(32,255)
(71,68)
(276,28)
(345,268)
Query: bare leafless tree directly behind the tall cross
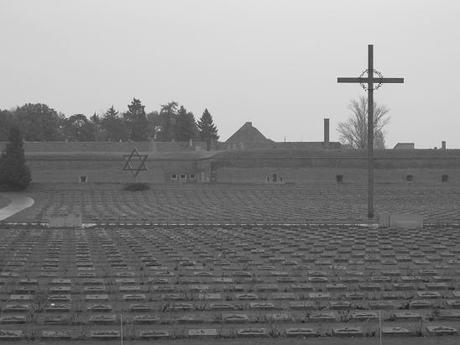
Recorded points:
(353,132)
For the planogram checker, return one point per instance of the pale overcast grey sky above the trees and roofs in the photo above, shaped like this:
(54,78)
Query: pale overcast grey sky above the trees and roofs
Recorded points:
(274,63)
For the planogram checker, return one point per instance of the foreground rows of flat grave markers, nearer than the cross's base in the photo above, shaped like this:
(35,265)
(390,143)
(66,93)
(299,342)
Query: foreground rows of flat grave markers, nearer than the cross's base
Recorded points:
(239,284)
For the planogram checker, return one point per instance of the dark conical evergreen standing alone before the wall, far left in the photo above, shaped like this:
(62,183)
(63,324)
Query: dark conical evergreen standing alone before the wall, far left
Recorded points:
(14,173)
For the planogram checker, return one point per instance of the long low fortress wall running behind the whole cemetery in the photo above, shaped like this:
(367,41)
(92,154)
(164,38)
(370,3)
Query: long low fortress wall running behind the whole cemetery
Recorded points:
(295,166)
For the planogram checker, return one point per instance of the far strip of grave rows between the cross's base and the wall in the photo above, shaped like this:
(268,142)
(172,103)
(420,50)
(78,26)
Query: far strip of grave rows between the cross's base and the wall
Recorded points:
(223,203)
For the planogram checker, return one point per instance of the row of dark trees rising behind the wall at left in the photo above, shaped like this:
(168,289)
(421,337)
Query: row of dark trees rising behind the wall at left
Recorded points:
(39,122)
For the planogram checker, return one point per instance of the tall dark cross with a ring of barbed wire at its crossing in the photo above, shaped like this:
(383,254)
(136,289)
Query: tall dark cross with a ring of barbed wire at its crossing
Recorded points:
(370,80)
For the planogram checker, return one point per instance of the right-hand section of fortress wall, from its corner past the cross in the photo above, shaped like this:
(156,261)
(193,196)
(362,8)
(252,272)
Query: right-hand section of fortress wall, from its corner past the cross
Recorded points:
(426,166)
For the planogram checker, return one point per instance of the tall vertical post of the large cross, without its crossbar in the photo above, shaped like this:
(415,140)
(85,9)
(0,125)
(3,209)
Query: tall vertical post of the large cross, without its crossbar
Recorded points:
(370,133)
